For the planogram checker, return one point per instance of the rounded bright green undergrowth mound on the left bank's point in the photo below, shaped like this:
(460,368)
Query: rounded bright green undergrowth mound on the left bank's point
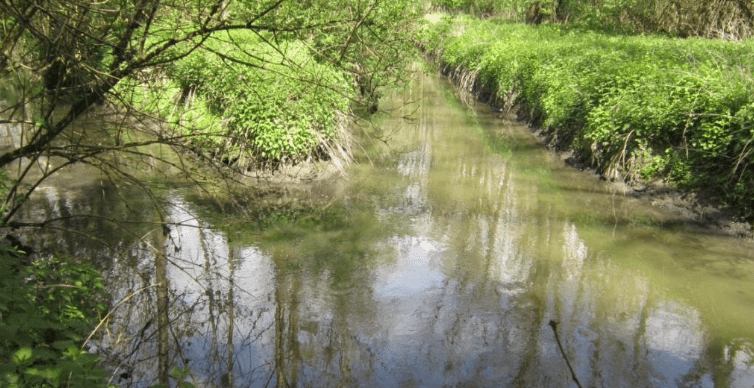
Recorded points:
(249,103)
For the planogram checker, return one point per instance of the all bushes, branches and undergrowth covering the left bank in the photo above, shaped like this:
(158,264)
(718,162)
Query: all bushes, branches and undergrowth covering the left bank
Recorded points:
(256,84)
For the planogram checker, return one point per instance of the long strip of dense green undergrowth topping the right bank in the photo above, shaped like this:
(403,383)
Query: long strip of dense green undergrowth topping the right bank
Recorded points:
(634,107)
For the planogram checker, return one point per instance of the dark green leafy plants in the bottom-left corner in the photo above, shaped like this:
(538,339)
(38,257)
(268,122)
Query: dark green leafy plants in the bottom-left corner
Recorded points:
(46,310)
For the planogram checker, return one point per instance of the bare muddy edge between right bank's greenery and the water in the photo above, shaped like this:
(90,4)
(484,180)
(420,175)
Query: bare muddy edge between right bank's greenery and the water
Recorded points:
(701,208)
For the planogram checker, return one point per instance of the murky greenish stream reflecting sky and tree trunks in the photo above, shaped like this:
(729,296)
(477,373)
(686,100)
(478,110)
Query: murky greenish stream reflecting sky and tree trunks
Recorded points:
(438,262)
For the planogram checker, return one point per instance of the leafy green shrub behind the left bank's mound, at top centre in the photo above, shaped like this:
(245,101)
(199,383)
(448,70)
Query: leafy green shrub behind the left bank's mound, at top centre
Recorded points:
(373,43)
